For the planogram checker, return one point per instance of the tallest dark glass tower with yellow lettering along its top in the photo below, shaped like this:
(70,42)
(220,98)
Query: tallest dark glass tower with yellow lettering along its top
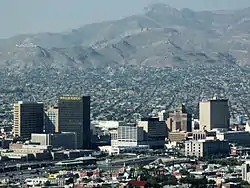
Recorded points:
(74,116)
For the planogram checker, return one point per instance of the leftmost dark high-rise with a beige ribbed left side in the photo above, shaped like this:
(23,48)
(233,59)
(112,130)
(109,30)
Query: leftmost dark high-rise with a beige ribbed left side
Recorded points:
(28,118)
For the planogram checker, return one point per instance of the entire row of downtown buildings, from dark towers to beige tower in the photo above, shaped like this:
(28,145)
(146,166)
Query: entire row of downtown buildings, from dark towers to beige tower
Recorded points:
(68,126)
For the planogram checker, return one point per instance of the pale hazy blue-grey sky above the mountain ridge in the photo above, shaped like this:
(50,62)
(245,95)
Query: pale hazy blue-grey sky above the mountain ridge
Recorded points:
(31,16)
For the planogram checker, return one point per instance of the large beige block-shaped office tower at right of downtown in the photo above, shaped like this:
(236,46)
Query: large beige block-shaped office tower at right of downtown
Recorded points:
(214,114)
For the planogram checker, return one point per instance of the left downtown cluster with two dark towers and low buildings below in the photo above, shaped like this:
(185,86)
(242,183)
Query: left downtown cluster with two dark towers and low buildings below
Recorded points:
(36,130)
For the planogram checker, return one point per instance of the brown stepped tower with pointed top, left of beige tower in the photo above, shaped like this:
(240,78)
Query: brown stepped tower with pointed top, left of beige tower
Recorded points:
(180,120)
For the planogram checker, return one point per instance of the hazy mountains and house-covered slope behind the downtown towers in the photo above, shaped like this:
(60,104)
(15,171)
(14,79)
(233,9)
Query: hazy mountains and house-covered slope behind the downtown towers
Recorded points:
(124,65)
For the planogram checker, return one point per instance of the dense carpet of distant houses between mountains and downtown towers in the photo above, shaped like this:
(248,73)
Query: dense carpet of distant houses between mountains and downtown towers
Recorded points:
(124,93)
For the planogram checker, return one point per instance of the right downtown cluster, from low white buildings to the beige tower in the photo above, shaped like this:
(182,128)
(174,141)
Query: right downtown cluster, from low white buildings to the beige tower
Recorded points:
(208,135)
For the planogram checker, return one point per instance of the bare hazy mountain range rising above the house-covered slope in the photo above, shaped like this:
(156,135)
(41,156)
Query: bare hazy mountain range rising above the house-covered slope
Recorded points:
(160,37)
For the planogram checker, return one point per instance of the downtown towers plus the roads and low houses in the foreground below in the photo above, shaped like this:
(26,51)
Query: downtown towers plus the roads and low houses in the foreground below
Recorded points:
(62,146)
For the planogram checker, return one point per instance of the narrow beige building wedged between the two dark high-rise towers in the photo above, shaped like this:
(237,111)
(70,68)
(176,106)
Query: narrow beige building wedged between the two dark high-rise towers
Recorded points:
(51,120)
